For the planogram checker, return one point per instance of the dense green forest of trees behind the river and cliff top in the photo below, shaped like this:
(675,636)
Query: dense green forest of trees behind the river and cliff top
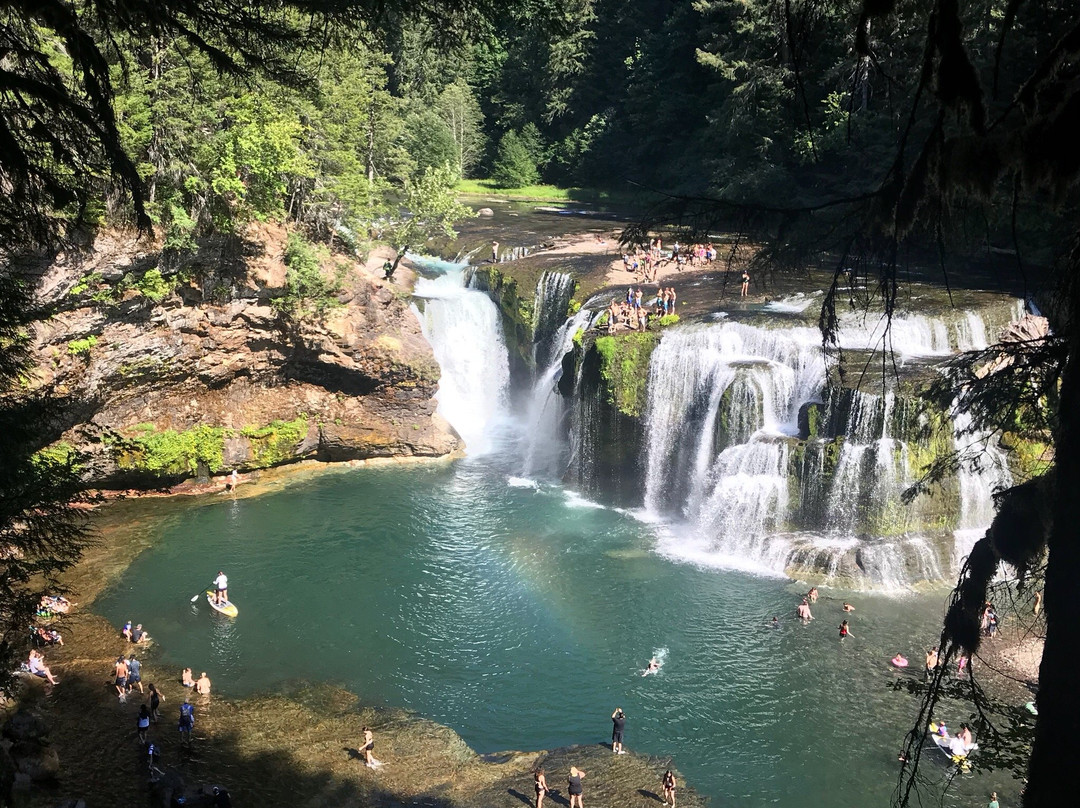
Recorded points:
(745,102)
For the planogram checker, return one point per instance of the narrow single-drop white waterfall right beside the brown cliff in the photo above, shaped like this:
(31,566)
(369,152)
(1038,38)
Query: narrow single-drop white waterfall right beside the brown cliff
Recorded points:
(465,330)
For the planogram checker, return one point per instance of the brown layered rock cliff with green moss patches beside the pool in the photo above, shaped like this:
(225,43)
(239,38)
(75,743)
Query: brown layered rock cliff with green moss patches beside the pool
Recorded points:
(166,370)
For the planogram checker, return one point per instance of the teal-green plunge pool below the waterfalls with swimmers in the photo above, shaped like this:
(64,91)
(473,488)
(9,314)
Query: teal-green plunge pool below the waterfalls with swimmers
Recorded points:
(522,617)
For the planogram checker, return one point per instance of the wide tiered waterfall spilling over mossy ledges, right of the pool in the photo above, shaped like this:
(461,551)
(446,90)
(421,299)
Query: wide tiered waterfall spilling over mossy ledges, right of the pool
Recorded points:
(726,464)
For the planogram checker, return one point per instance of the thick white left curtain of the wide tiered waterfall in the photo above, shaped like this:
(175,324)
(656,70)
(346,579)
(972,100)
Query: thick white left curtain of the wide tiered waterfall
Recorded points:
(740,493)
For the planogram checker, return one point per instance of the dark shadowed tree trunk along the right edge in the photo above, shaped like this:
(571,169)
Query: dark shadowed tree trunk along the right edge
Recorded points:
(1057,747)
